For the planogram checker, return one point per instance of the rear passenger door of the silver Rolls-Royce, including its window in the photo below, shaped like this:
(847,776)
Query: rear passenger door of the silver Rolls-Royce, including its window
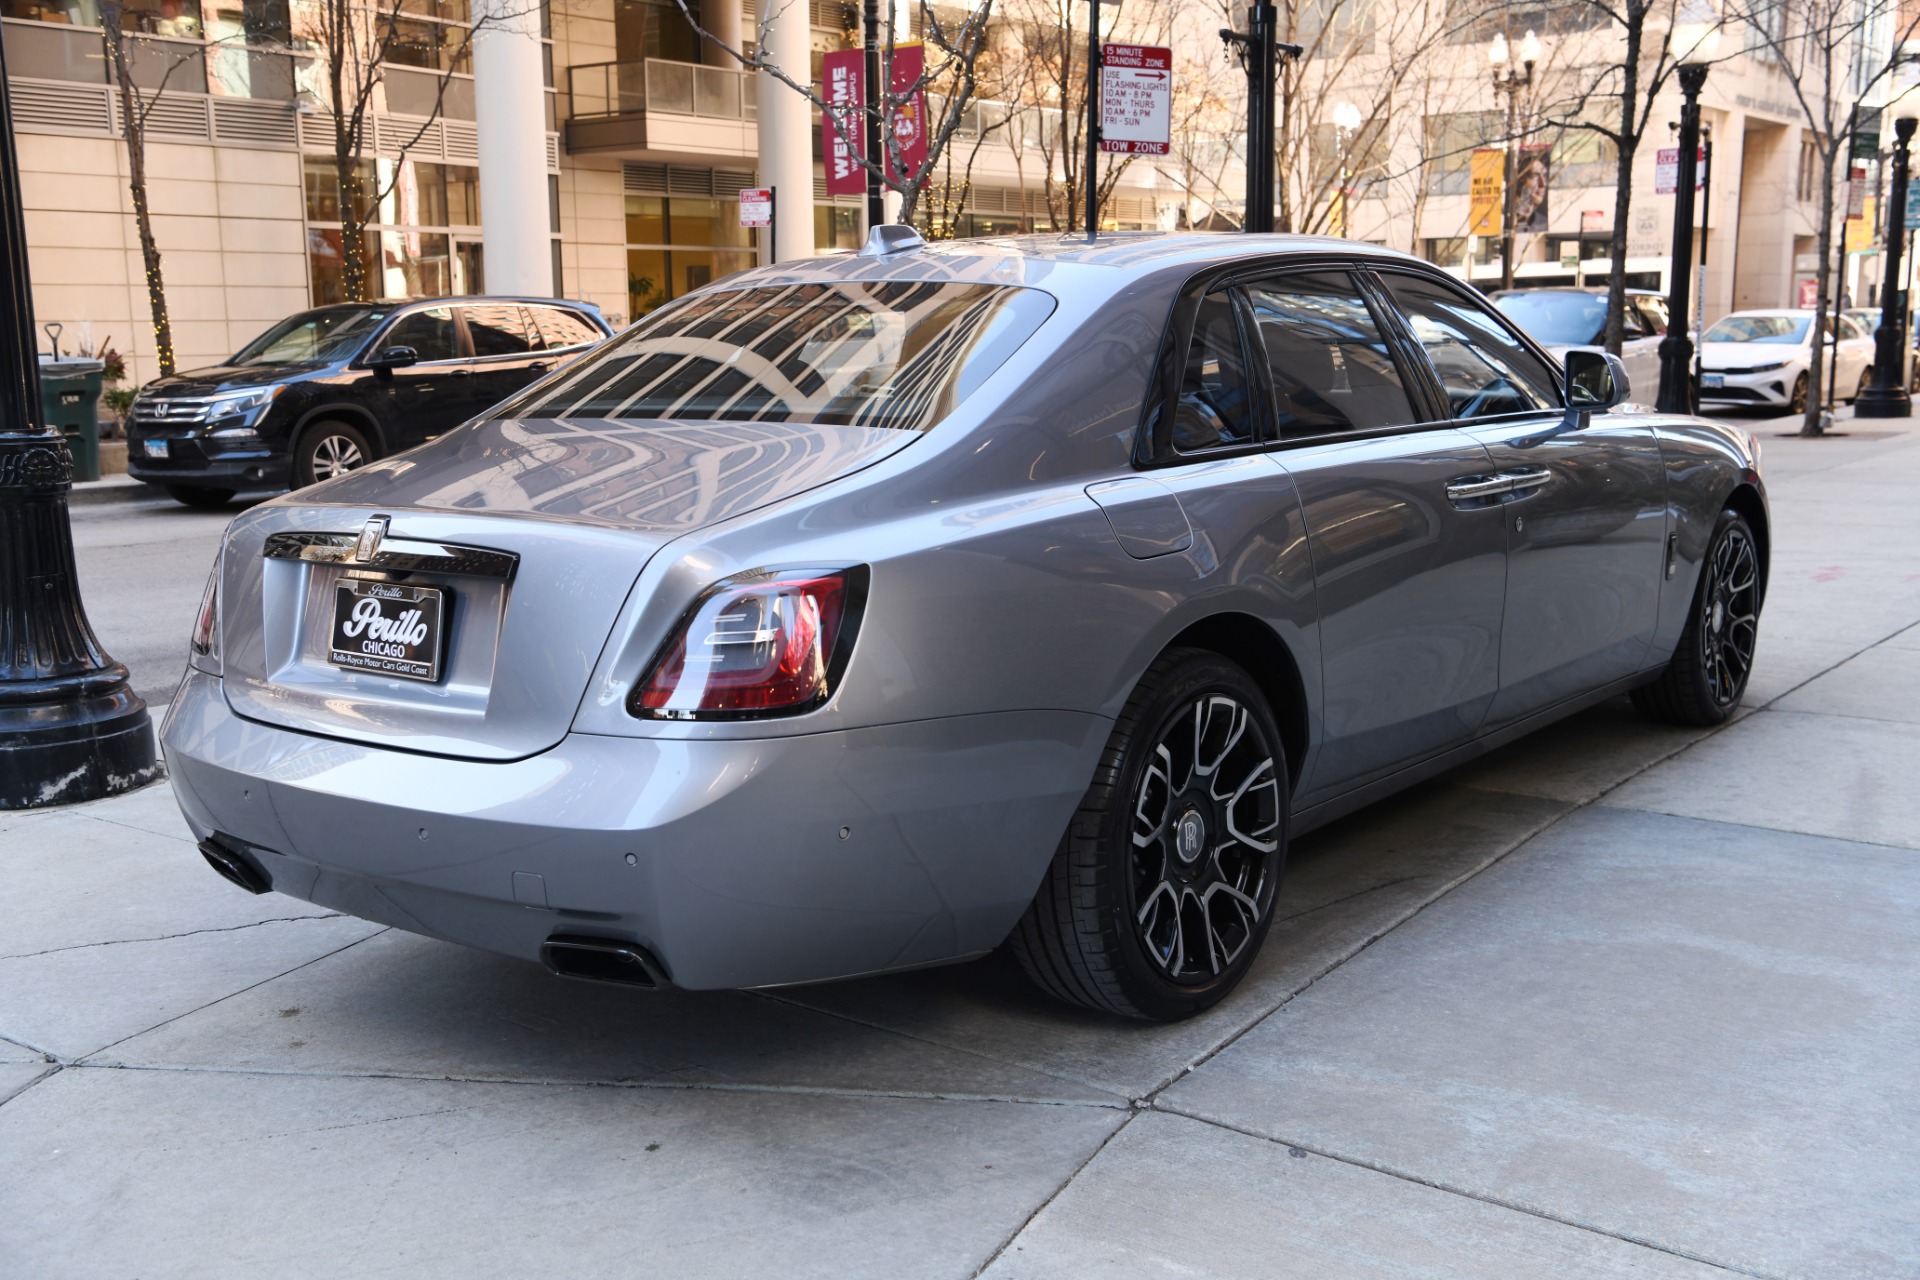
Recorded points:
(1410,581)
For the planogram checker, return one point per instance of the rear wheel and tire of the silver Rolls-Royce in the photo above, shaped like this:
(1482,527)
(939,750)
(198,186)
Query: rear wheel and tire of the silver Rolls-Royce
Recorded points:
(1163,889)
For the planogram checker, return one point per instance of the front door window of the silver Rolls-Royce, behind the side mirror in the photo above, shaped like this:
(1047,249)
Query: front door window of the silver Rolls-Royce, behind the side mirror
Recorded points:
(1483,367)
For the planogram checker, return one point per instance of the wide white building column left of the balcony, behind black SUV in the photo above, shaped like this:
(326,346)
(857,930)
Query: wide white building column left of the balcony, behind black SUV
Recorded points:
(512,116)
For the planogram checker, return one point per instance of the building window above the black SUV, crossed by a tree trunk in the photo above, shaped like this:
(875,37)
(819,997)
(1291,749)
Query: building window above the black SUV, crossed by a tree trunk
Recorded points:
(421,237)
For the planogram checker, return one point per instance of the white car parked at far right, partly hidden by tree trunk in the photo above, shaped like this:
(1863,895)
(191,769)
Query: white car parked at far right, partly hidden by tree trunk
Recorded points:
(1760,360)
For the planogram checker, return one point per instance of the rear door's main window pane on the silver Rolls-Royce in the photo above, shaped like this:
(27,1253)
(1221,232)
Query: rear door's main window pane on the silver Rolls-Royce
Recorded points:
(1330,364)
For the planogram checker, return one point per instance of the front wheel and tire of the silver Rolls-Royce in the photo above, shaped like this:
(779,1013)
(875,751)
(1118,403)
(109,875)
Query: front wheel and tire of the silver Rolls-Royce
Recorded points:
(1710,671)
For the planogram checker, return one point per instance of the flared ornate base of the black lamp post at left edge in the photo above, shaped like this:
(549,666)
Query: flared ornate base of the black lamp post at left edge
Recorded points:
(70,726)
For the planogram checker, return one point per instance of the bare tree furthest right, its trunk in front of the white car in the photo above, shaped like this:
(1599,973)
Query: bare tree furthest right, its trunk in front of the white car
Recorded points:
(1836,57)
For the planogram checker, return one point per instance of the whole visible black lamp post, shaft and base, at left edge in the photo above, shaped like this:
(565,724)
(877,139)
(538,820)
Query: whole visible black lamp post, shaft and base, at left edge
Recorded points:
(70,726)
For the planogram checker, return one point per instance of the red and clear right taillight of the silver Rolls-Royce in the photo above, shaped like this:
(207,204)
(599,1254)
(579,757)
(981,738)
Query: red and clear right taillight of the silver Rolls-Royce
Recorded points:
(754,648)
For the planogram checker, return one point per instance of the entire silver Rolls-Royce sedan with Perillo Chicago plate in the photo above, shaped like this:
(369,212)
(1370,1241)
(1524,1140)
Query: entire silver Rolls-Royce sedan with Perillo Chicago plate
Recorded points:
(873,613)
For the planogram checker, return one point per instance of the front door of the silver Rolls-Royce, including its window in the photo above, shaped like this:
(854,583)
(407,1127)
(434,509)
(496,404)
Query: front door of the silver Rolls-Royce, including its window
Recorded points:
(1585,508)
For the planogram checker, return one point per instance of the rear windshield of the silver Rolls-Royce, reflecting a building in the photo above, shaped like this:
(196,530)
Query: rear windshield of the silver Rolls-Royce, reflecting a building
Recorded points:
(857,354)
